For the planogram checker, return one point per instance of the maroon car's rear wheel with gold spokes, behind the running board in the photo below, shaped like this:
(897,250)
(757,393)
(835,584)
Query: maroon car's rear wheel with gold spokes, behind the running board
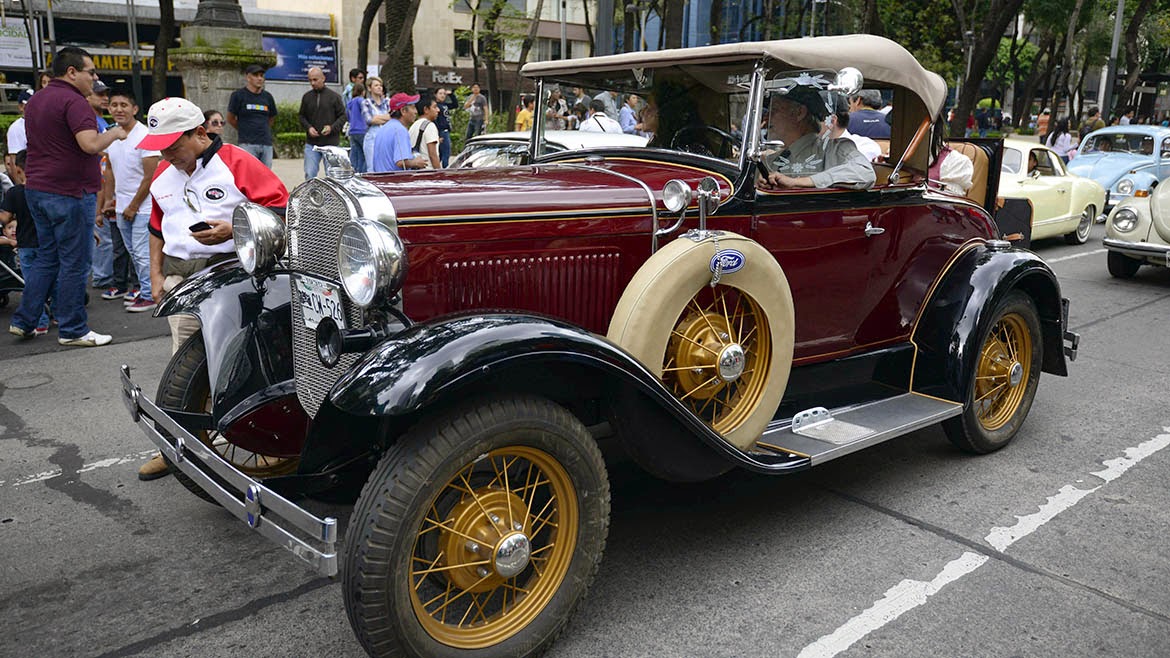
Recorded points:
(1004,380)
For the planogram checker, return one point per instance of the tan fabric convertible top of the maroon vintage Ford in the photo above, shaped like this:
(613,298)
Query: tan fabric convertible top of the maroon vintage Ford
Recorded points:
(882,61)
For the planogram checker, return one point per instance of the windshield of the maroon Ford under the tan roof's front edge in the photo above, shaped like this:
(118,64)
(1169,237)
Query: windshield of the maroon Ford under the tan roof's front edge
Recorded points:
(693,109)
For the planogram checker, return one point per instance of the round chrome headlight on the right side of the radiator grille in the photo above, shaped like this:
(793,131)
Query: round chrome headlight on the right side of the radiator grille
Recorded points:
(371,262)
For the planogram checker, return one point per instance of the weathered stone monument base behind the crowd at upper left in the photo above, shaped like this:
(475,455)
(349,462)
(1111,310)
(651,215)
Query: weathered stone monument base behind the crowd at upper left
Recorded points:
(217,47)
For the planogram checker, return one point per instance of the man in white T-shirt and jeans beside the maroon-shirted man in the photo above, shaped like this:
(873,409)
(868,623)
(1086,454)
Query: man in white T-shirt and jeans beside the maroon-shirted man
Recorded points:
(128,179)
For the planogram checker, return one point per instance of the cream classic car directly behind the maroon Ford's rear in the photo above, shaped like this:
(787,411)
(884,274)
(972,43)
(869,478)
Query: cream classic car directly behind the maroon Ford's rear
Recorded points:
(1063,203)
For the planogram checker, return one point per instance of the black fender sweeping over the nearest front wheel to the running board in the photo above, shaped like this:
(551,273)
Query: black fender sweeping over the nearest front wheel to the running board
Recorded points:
(446,359)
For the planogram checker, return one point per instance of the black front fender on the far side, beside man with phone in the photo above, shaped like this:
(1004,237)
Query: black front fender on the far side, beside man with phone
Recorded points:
(245,326)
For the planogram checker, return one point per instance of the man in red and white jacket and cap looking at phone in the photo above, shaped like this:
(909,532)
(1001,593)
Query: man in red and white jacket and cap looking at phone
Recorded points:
(201,181)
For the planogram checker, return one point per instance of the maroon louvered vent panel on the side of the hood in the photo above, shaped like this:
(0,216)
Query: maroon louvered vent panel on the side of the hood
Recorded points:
(579,287)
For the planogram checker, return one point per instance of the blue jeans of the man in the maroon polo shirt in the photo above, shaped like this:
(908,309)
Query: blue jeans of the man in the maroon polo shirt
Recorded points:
(65,229)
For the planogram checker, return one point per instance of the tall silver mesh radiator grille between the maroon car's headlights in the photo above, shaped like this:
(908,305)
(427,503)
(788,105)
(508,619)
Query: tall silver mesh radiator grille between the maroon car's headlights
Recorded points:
(315,218)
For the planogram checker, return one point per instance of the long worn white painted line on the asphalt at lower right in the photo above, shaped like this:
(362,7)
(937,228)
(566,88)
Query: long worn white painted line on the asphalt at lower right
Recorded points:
(911,594)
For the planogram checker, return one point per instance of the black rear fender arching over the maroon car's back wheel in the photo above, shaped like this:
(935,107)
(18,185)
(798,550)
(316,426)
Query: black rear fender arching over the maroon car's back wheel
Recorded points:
(959,313)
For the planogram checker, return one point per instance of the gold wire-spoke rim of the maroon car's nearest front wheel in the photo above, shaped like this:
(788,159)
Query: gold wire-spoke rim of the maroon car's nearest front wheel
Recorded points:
(494,547)
